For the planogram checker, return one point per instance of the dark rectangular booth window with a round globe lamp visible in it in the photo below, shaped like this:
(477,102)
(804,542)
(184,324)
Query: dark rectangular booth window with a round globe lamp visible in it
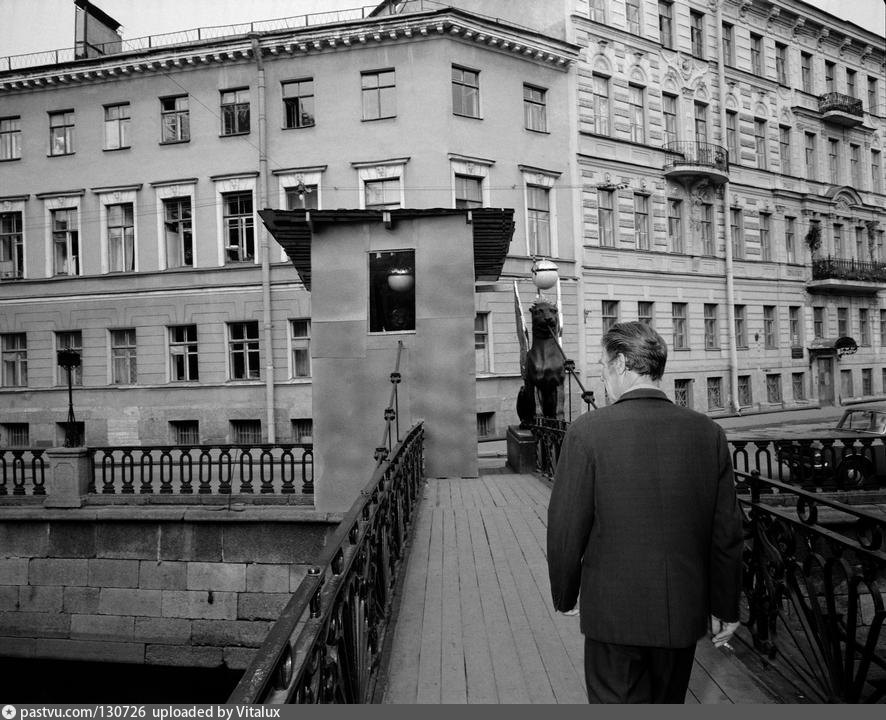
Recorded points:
(392,291)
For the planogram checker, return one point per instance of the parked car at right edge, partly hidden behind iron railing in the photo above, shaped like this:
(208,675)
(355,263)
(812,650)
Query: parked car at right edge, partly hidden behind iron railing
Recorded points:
(852,455)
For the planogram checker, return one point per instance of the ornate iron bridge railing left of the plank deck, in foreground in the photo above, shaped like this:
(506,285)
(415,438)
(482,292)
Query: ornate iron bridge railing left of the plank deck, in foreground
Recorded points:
(325,647)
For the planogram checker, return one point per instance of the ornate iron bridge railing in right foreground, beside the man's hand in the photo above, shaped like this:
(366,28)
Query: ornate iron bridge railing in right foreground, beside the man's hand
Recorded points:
(814,593)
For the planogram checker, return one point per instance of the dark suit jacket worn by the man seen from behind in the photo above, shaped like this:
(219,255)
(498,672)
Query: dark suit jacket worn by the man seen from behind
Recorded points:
(644,520)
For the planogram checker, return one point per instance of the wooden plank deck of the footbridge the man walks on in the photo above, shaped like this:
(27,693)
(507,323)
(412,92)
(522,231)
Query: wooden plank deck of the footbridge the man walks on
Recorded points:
(475,622)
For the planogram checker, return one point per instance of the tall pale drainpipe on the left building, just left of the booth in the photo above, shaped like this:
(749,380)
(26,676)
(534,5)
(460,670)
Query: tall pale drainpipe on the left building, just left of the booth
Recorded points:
(262,191)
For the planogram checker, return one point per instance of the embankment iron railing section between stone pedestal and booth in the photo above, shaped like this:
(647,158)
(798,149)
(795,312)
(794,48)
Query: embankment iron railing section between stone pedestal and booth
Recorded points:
(283,469)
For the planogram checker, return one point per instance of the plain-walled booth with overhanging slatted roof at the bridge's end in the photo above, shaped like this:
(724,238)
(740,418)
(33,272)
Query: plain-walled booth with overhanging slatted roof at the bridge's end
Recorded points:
(378,278)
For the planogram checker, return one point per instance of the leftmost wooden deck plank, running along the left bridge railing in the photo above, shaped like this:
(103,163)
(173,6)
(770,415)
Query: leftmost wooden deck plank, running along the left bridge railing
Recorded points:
(402,674)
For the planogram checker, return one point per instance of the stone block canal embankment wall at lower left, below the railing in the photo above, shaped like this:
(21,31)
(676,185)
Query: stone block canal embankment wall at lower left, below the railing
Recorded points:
(170,586)
